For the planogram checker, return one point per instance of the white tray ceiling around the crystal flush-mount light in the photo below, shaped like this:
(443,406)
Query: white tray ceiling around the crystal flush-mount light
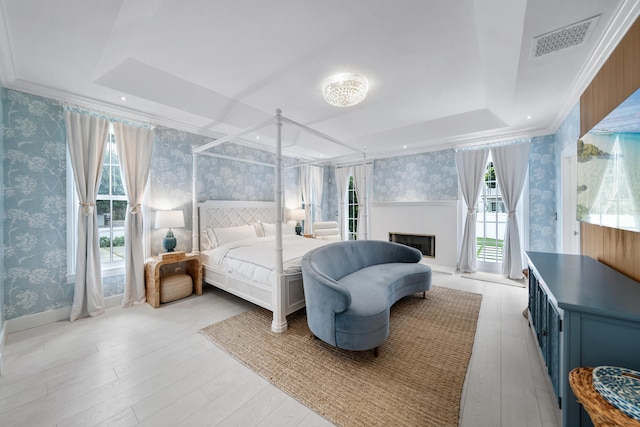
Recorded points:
(441,74)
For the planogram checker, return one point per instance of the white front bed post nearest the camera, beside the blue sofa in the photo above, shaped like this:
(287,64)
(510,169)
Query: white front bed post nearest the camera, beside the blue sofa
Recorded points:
(279,323)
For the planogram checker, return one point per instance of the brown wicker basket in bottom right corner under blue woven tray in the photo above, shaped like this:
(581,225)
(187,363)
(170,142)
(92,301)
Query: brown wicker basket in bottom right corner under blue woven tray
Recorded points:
(602,413)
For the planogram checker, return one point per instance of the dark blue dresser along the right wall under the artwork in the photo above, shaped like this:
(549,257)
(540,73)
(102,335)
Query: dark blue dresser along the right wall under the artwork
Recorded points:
(583,313)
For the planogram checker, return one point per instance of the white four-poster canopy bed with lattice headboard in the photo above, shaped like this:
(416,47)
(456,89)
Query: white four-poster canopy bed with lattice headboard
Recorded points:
(282,293)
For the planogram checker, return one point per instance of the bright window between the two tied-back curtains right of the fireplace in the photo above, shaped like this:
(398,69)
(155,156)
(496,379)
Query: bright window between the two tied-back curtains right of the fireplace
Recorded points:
(491,219)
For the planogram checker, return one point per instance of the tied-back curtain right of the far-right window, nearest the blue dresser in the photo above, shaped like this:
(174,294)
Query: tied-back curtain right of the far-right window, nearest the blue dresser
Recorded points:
(510,163)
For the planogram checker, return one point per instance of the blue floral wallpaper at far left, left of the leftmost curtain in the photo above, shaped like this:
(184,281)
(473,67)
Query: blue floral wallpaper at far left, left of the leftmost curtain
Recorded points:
(34,199)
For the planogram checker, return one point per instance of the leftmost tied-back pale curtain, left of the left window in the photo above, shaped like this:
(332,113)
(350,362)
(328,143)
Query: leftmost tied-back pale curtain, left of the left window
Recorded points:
(86,139)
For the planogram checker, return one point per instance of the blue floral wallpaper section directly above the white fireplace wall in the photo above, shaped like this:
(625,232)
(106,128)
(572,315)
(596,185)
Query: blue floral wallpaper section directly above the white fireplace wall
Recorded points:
(419,177)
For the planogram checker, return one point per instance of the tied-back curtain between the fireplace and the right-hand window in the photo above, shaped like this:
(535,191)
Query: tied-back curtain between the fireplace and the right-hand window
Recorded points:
(471,166)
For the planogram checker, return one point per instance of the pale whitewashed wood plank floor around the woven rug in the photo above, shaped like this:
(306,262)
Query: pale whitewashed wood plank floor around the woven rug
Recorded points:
(144,367)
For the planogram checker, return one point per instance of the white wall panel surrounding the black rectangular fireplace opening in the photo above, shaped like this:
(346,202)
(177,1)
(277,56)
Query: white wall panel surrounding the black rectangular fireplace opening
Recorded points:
(440,218)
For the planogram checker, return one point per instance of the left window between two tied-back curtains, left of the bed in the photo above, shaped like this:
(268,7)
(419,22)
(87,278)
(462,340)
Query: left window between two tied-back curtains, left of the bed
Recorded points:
(111,207)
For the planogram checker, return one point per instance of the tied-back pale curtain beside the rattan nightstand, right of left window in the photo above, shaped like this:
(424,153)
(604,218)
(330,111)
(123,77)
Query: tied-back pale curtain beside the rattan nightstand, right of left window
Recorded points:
(134,145)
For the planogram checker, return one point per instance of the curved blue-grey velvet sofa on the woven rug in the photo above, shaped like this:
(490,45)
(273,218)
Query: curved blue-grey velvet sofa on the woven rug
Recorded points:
(350,287)
